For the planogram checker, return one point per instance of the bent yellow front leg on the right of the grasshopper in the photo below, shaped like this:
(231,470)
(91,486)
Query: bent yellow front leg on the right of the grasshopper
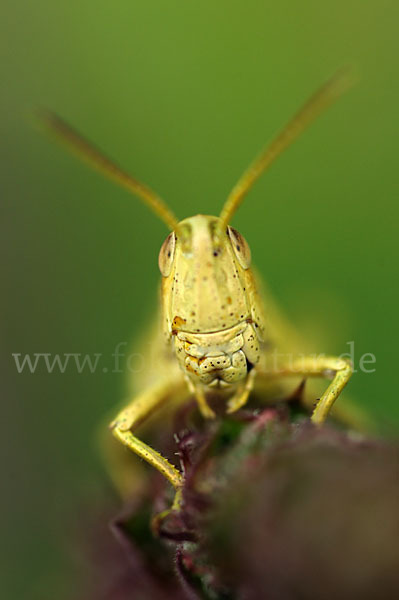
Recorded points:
(330,367)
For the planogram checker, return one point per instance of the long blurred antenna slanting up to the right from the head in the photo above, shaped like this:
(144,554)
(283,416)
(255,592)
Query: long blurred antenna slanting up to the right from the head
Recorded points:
(321,99)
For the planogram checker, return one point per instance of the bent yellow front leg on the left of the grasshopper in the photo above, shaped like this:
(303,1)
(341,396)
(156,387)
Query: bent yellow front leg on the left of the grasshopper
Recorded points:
(137,411)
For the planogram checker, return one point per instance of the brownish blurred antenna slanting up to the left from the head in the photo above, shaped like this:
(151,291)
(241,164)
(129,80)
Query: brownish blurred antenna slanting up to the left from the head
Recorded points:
(96,159)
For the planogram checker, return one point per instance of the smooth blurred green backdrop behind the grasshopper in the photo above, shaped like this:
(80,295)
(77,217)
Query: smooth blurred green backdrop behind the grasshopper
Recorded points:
(183,94)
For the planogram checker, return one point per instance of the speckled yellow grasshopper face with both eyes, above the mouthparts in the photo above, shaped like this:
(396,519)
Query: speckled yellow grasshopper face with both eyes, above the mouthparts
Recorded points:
(204,276)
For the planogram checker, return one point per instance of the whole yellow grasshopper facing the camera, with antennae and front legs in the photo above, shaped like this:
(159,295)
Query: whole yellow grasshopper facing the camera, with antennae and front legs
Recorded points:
(215,335)
